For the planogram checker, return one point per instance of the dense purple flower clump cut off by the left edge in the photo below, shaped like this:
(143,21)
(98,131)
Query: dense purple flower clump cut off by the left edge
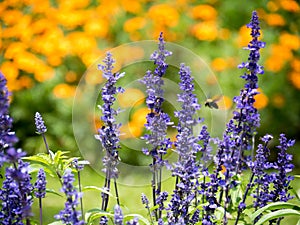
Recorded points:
(15,194)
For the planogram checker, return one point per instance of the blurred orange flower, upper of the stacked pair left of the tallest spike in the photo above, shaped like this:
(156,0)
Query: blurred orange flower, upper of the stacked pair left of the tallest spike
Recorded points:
(204,12)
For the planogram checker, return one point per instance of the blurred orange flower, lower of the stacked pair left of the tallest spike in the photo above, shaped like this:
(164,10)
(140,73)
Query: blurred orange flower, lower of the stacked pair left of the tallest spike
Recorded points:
(205,31)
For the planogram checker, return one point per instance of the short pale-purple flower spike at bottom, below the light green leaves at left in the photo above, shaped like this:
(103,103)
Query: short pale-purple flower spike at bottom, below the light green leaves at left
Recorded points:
(69,215)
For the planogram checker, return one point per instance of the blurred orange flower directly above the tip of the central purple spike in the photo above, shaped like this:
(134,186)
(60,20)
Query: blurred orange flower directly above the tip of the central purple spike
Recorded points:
(164,14)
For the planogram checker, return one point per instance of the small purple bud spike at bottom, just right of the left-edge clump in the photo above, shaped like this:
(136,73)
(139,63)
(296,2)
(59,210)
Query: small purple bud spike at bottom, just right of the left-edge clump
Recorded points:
(40,190)
